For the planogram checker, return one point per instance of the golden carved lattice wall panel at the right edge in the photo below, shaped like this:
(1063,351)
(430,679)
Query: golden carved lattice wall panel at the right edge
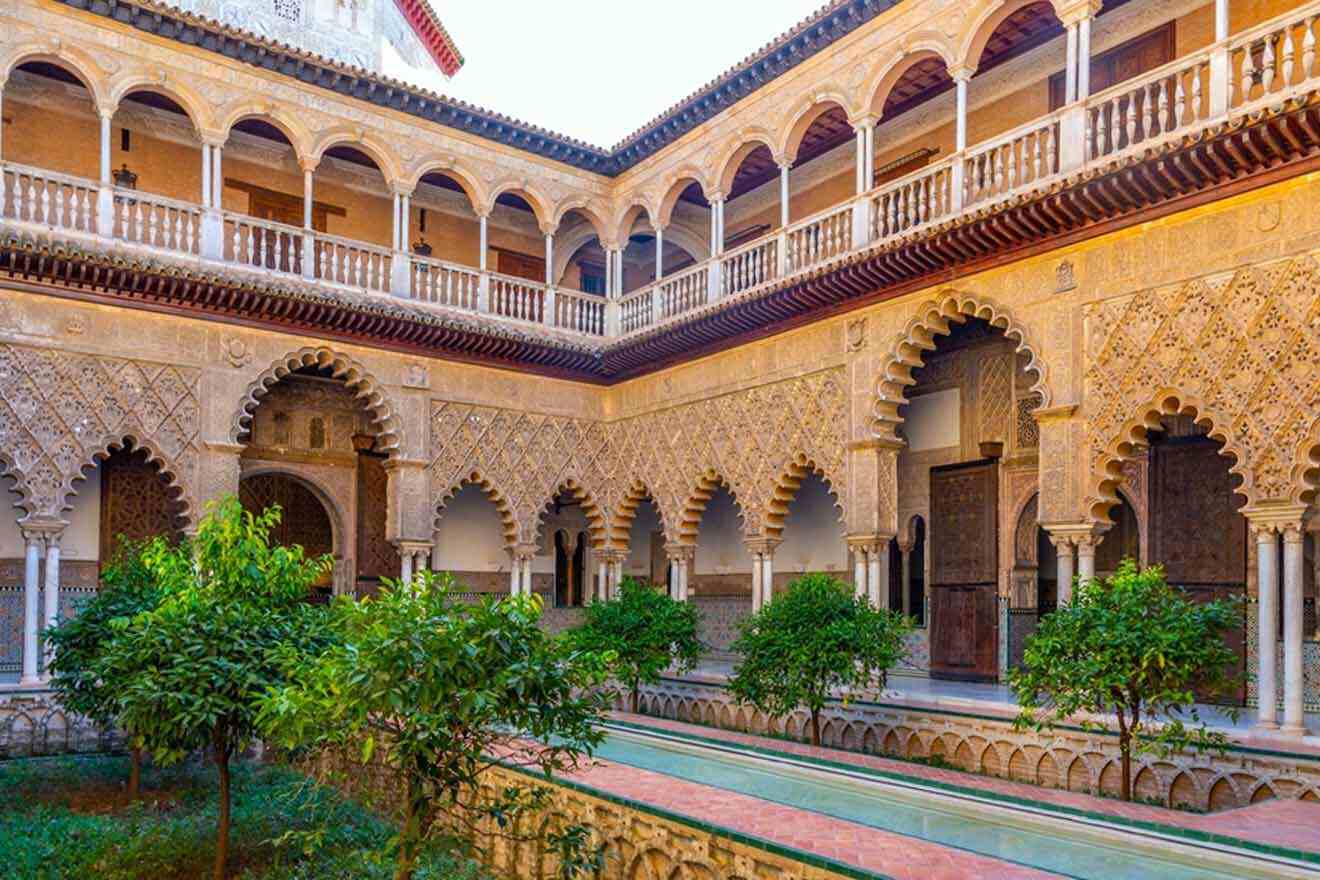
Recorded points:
(1241,352)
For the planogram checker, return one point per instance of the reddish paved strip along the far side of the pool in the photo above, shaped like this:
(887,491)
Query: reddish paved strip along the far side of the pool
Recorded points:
(1282,823)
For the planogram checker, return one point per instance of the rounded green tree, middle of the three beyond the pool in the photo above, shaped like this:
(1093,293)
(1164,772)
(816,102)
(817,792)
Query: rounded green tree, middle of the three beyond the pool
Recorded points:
(808,643)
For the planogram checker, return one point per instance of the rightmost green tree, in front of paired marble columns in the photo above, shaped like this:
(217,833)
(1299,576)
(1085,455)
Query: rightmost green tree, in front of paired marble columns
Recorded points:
(1133,650)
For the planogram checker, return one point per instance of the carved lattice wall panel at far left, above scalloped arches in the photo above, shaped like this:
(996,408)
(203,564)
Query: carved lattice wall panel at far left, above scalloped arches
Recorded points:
(60,411)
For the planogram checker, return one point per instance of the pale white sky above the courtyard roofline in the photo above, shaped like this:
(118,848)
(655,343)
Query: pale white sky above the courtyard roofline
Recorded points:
(600,69)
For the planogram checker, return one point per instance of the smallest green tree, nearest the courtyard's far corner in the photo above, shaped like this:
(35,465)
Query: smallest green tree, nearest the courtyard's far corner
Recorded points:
(645,630)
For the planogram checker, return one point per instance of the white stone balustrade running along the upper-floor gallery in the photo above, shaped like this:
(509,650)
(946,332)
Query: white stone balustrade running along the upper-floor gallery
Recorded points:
(1259,68)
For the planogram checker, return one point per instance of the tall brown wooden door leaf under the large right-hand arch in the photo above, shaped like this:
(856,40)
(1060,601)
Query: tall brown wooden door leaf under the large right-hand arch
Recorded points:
(964,572)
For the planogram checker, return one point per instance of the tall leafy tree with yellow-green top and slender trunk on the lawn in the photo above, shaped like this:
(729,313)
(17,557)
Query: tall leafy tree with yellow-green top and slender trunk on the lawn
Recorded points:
(199,666)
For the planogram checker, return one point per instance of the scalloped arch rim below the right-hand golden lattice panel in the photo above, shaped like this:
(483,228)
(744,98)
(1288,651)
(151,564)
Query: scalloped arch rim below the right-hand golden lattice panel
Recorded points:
(1132,437)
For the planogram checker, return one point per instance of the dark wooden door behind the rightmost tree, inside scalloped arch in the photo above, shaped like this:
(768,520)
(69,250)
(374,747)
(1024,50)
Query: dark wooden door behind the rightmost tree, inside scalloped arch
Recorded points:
(1198,534)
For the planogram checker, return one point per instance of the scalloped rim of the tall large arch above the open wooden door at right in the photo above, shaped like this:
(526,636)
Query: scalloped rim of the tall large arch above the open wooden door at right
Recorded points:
(935,319)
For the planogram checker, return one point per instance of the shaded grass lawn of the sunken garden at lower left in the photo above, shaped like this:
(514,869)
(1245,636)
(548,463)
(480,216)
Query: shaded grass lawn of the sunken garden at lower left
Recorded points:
(69,817)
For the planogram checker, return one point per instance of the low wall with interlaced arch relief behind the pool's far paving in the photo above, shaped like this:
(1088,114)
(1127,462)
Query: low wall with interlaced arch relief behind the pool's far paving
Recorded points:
(1069,758)
